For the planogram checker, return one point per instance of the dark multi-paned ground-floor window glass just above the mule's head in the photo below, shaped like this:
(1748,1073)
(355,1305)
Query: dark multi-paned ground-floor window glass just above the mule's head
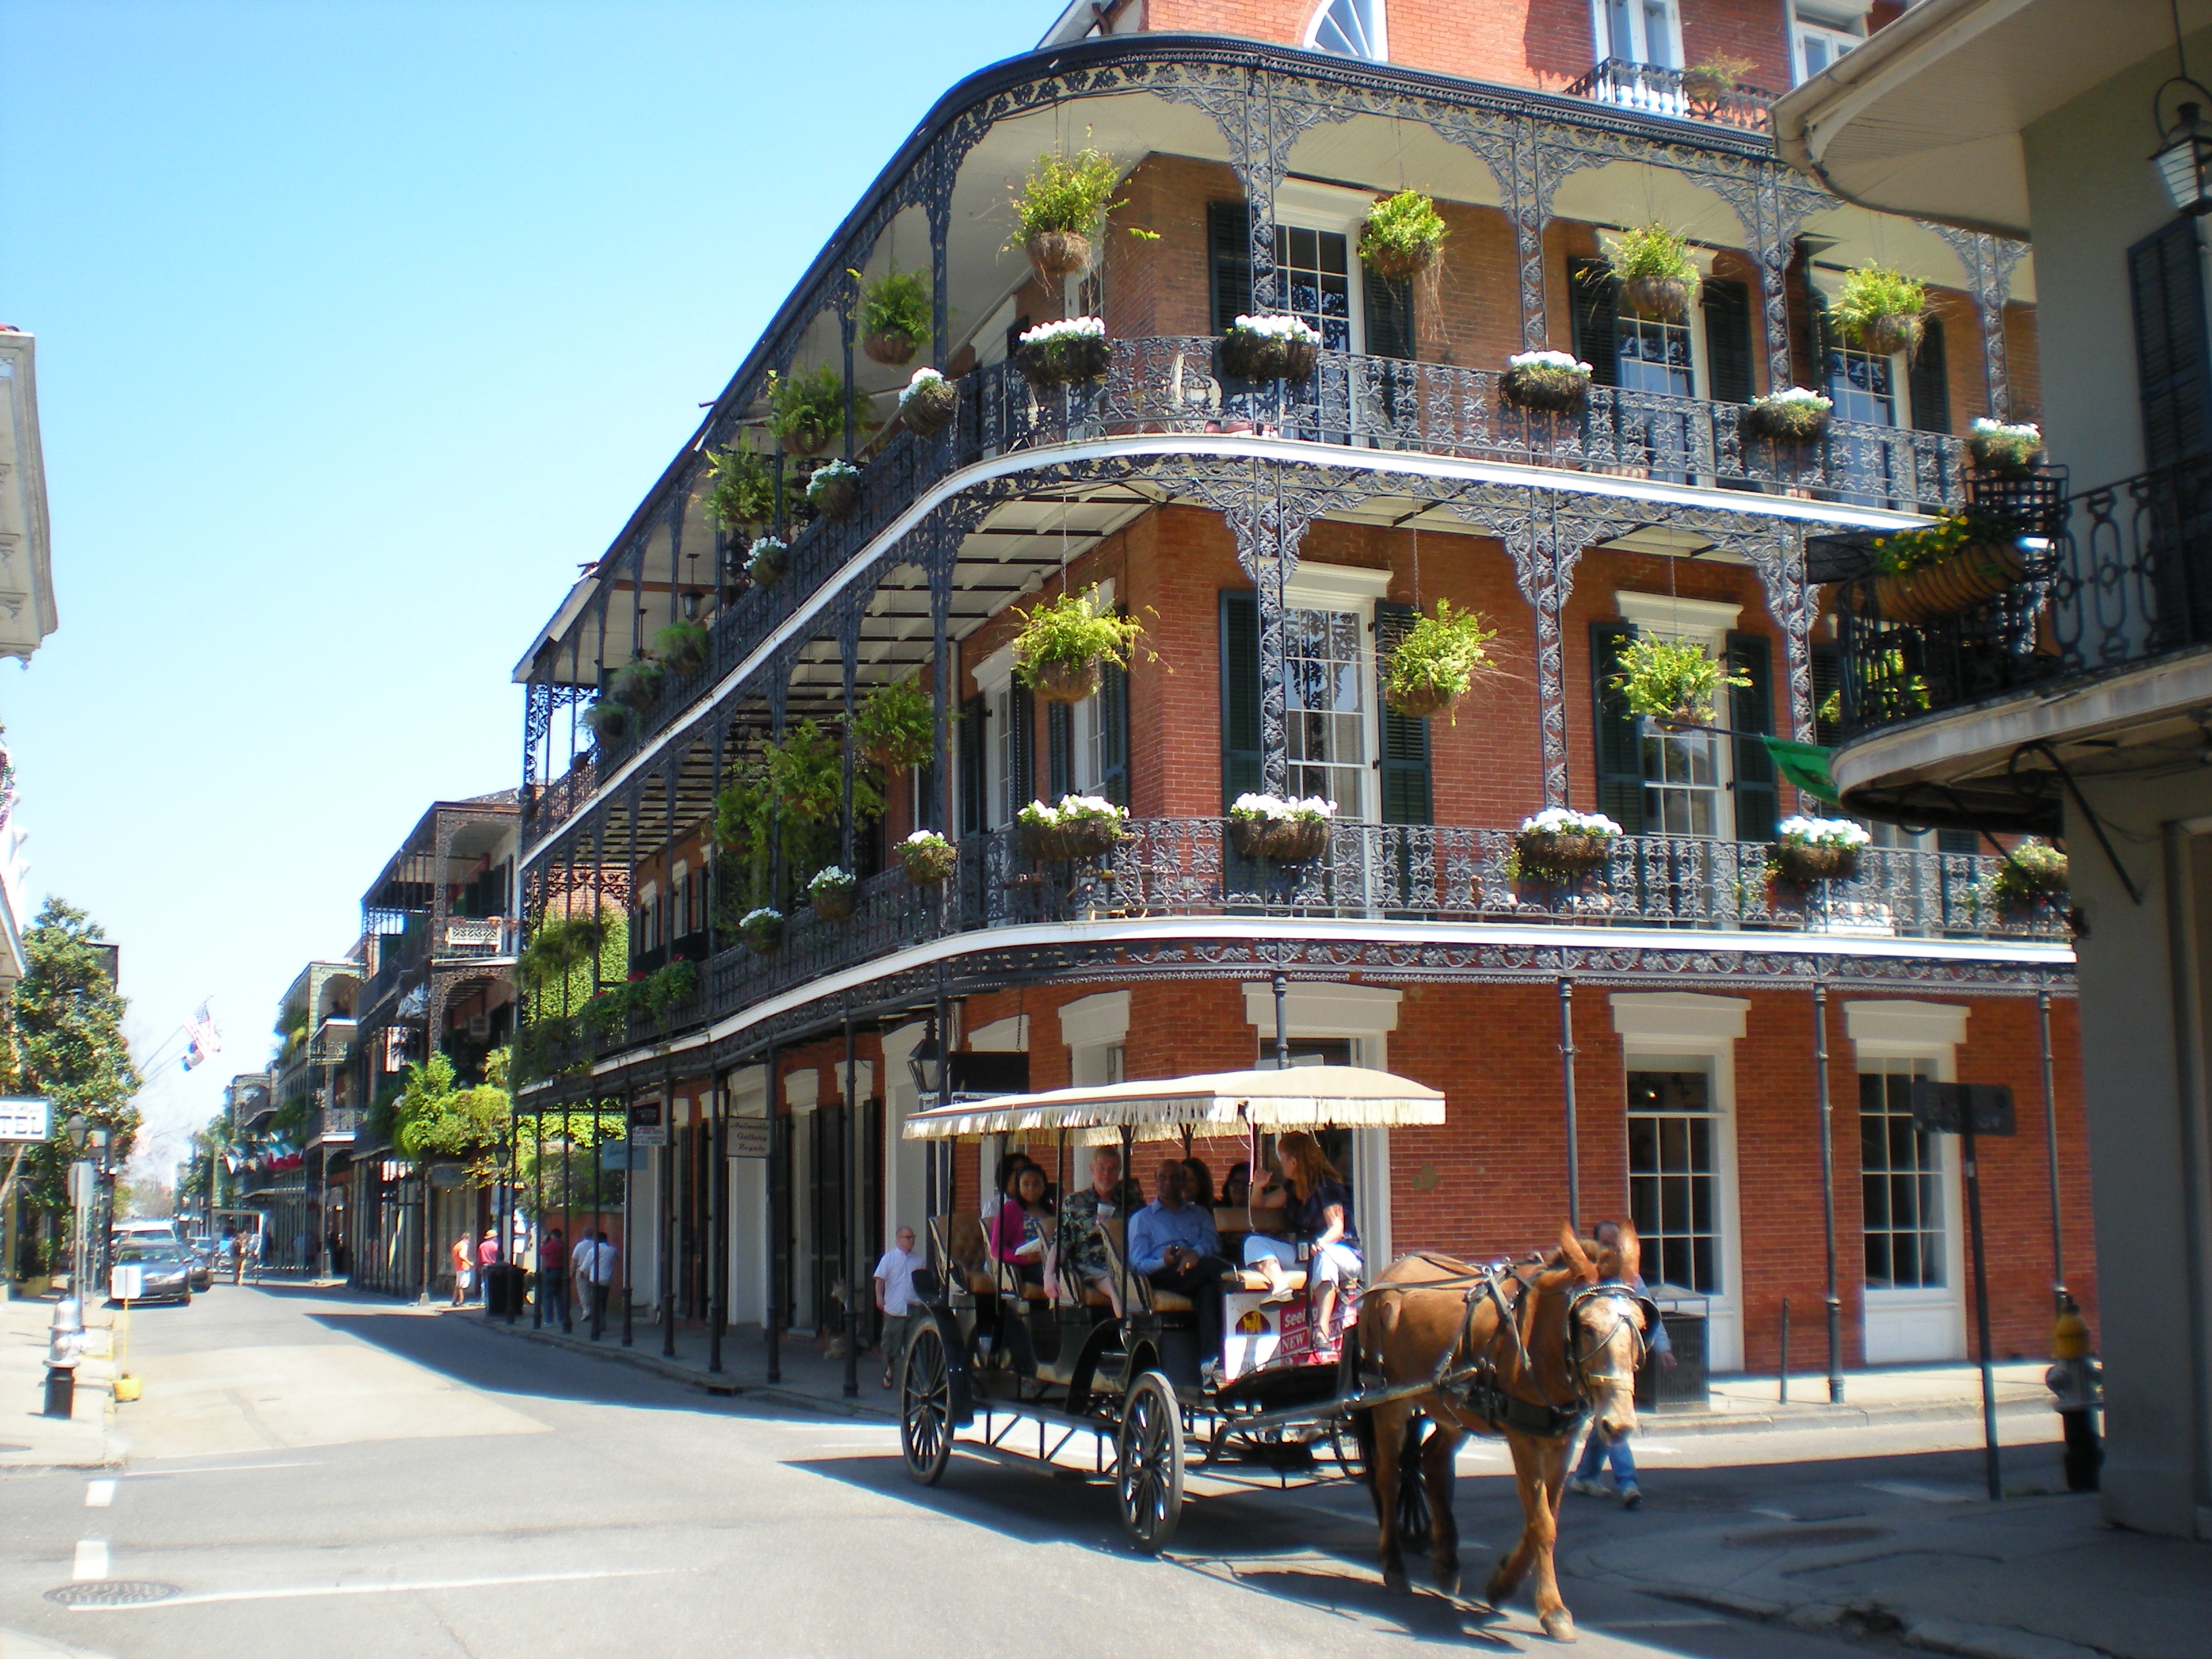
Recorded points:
(1673,1182)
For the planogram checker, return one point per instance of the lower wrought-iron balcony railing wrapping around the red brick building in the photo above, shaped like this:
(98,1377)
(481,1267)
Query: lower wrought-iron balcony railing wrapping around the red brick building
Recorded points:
(1370,875)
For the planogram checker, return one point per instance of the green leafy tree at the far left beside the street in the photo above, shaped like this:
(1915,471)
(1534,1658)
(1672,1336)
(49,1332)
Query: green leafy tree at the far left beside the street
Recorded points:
(70,1045)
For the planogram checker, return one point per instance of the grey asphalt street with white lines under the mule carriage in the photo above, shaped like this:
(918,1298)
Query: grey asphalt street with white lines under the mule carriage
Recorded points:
(326,1474)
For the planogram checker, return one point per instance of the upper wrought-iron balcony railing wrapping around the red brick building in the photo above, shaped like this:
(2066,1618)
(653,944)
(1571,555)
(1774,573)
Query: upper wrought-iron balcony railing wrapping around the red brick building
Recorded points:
(1173,386)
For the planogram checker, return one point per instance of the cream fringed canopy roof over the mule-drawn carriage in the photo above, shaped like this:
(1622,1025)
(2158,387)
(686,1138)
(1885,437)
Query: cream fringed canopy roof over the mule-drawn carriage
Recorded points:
(1211,1103)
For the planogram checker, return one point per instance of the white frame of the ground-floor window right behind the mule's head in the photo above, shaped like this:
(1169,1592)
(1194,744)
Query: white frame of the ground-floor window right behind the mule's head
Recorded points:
(1660,1030)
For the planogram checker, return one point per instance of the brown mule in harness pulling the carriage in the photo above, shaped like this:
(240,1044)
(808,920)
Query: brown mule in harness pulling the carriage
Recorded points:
(1567,1350)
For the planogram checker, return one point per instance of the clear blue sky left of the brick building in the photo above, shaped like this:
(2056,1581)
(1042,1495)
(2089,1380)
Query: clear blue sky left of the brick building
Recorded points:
(359,328)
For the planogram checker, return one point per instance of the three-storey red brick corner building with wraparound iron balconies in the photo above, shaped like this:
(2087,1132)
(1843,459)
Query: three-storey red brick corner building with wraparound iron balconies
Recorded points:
(1275,539)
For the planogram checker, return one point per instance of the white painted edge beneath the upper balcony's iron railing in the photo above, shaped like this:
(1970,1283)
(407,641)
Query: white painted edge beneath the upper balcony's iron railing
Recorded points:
(806,618)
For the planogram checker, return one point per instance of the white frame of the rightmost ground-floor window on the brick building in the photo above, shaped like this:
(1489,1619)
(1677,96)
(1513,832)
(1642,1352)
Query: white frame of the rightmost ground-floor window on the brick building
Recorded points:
(1899,1326)
